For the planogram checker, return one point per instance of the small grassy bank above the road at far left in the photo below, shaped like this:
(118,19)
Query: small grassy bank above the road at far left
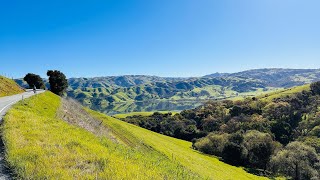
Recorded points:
(8,87)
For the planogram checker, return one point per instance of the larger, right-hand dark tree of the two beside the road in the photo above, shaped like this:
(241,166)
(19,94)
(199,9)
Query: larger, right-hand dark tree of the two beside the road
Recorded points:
(58,82)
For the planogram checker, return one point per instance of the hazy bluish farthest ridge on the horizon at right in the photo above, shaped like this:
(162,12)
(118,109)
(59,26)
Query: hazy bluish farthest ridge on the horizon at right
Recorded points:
(277,77)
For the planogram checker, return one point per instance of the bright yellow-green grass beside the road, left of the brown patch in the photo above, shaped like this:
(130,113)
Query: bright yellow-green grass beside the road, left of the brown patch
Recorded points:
(41,146)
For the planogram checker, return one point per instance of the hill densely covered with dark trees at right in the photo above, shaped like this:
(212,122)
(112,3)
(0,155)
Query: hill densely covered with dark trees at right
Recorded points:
(278,135)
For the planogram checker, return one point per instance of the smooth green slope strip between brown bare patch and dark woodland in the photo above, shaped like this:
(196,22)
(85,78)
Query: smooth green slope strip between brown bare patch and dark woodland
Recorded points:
(177,150)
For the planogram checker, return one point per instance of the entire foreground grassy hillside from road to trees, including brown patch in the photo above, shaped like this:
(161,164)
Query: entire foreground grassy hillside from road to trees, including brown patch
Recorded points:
(41,146)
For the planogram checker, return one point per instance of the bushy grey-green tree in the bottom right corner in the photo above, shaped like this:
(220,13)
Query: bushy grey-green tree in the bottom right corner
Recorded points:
(298,161)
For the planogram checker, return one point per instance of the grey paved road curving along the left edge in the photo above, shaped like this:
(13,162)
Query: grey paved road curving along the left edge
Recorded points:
(5,104)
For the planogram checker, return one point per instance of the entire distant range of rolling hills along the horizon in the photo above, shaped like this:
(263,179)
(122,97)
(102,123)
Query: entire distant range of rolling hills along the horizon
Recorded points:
(101,91)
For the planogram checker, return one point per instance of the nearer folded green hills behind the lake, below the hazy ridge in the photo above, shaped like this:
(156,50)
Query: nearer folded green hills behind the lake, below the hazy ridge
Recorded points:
(189,89)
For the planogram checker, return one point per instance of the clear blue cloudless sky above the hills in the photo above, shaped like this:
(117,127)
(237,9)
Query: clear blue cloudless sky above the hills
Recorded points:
(157,37)
